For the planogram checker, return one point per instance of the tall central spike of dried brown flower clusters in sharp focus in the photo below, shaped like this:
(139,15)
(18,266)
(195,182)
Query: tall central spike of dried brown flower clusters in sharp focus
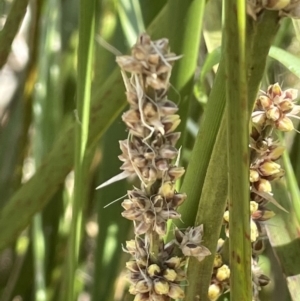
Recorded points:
(154,272)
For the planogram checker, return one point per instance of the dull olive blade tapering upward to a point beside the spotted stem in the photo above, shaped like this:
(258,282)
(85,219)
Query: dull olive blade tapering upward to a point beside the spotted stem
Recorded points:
(210,212)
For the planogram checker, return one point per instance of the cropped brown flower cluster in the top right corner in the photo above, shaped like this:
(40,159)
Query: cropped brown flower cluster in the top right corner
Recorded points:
(289,8)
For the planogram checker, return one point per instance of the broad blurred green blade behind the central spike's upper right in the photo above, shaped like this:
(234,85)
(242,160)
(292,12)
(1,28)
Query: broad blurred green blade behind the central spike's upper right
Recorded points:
(184,40)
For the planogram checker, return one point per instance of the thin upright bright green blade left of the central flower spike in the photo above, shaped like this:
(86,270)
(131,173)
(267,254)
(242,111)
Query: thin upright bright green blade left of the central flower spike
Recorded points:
(84,79)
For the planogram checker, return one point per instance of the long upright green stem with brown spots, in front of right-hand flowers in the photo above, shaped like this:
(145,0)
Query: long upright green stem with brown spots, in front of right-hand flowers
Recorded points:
(237,148)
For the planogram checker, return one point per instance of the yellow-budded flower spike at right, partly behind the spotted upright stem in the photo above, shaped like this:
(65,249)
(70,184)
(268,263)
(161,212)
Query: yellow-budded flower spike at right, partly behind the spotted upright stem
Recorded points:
(272,112)
